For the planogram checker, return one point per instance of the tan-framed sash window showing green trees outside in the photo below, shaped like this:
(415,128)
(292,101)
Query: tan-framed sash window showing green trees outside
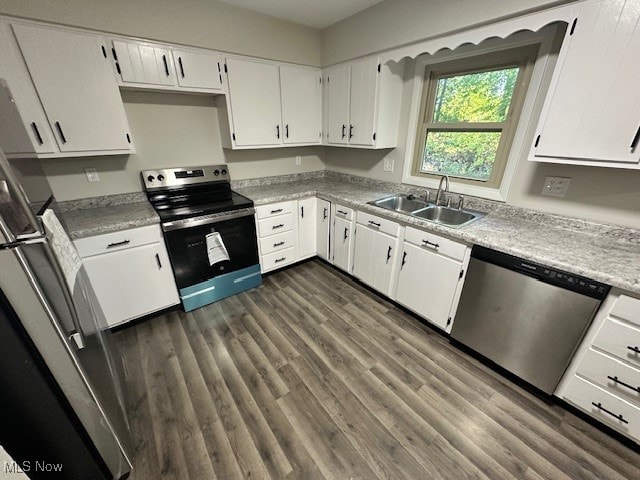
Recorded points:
(470,109)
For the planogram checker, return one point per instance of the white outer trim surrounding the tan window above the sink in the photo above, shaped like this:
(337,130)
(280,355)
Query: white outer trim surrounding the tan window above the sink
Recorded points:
(549,39)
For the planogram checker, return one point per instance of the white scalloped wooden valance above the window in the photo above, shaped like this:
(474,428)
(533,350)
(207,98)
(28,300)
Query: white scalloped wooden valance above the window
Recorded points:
(532,22)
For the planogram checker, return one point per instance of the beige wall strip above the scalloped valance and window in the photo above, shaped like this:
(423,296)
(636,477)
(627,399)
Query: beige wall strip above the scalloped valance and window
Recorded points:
(392,23)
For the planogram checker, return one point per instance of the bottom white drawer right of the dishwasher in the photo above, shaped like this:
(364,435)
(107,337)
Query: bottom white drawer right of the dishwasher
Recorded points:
(584,395)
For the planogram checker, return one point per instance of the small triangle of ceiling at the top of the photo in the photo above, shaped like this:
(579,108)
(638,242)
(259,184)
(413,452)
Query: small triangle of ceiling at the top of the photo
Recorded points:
(314,13)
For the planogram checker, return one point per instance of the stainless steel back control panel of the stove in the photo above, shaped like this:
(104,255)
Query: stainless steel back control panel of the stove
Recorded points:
(172,177)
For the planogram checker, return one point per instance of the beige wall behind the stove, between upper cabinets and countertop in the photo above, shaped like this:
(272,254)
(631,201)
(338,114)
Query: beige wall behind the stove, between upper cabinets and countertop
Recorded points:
(170,130)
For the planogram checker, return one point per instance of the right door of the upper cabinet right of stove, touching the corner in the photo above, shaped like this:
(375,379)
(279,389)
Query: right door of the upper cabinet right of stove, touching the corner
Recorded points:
(301,93)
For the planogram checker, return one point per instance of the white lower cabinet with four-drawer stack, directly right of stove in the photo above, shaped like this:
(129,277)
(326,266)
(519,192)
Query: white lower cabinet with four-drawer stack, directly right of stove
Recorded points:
(286,232)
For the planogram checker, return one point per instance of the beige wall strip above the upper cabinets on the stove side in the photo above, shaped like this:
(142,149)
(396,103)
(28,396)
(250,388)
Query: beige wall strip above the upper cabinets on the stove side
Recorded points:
(204,23)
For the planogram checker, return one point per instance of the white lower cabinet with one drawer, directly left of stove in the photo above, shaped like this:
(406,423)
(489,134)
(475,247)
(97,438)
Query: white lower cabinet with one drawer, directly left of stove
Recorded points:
(130,273)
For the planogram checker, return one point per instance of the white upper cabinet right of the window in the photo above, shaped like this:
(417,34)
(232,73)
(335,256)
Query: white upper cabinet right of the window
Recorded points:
(592,112)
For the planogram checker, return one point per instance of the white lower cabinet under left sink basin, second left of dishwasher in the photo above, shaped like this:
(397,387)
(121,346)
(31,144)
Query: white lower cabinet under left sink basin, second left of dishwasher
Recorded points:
(375,251)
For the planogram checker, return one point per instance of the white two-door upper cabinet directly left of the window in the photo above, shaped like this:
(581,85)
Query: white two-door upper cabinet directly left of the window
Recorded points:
(363,101)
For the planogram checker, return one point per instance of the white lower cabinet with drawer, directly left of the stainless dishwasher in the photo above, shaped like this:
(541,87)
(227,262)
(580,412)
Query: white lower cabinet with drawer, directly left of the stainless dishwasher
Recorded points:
(431,270)
